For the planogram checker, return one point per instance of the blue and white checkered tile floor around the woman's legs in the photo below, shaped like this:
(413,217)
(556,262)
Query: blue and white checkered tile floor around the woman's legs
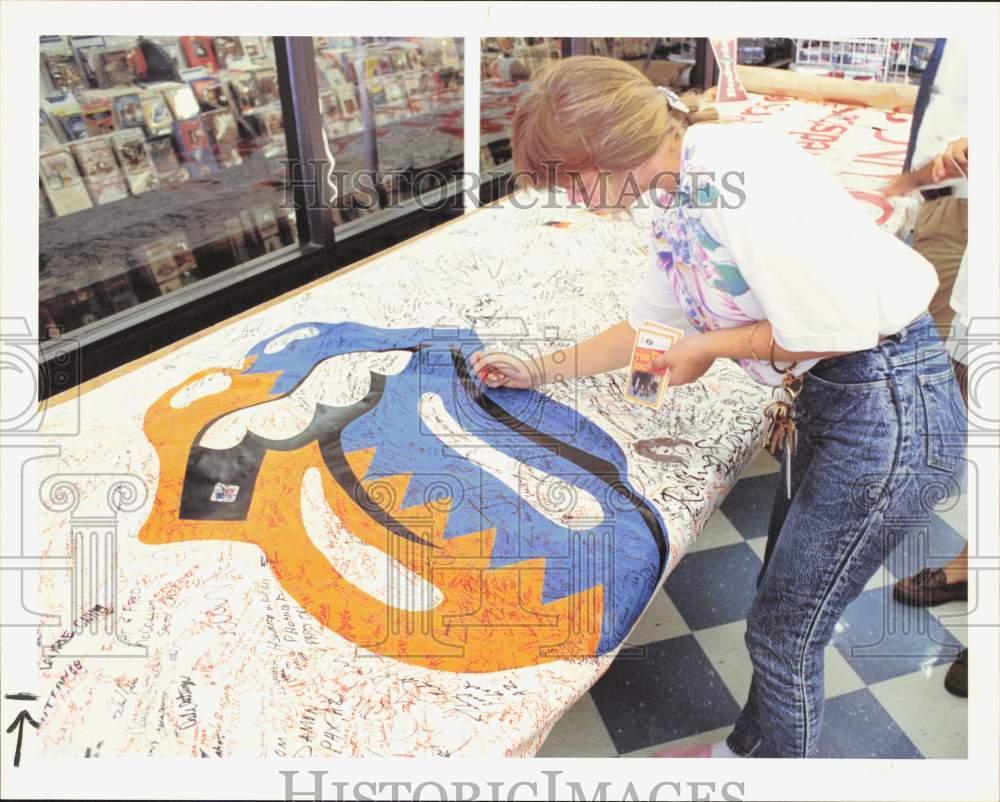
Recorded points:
(686,684)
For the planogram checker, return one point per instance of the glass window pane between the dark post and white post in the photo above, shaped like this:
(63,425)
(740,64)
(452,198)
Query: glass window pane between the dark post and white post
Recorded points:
(392,111)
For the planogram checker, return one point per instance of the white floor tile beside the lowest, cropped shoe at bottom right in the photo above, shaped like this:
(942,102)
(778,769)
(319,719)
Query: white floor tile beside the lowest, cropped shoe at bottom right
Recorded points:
(931,717)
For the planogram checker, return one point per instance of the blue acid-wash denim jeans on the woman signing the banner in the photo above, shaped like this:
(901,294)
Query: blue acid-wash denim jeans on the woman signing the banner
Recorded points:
(881,439)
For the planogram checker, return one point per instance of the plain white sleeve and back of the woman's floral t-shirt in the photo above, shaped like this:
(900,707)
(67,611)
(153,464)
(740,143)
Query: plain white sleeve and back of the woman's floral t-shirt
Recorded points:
(827,277)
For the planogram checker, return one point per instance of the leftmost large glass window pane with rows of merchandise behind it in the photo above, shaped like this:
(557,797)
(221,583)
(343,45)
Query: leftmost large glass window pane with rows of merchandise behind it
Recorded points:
(161,164)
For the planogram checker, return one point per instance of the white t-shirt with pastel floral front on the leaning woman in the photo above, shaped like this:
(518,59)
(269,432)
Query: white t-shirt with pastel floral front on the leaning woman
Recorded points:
(759,231)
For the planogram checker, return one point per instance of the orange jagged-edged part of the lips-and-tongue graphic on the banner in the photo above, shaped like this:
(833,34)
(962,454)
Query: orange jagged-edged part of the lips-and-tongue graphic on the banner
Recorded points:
(490,619)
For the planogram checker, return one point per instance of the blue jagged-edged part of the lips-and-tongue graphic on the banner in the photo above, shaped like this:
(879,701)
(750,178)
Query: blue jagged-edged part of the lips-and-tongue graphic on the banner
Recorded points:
(620,554)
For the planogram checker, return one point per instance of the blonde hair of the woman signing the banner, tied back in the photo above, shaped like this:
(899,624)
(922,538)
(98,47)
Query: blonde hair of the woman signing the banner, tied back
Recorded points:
(591,113)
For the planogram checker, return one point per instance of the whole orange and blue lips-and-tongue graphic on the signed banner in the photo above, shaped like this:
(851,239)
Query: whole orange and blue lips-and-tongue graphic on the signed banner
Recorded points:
(474,530)
